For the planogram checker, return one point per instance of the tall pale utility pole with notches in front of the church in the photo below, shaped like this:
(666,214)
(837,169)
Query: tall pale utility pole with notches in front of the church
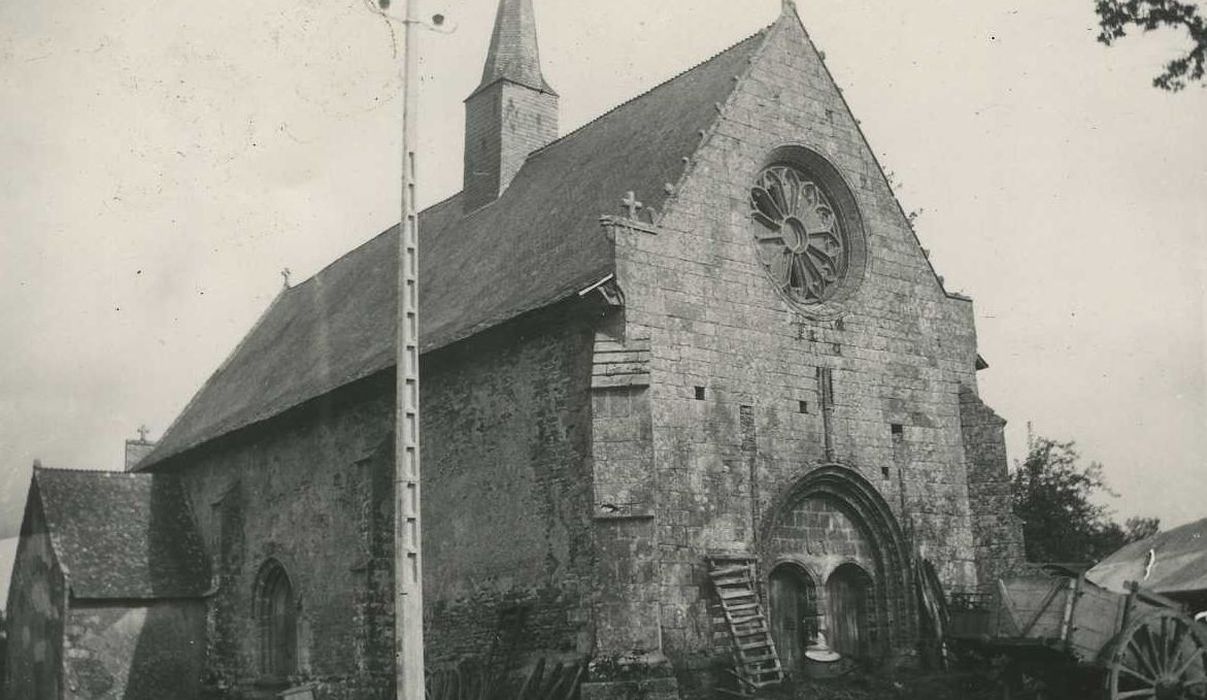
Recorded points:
(409,580)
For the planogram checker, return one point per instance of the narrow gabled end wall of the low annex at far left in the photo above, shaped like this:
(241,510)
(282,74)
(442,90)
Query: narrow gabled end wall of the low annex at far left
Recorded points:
(37,609)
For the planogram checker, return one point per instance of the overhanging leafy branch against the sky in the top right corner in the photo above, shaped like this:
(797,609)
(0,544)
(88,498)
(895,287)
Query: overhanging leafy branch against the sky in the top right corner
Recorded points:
(1117,17)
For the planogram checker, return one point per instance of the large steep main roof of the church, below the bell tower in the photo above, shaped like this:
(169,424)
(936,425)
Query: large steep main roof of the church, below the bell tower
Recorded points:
(539,243)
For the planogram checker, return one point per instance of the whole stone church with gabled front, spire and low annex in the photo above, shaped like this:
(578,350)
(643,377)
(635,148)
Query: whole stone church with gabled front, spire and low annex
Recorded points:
(755,365)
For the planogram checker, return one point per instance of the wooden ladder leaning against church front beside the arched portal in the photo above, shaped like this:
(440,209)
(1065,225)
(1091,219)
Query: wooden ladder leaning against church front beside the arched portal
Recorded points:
(759,666)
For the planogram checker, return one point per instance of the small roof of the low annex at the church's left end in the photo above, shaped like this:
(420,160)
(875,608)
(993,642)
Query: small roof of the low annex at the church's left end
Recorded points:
(123,536)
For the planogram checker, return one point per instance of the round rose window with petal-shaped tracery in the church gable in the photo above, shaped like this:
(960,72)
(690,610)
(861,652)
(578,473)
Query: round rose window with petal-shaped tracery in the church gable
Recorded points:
(801,241)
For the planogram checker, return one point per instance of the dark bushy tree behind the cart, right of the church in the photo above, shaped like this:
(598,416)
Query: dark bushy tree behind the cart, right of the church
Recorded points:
(1054,498)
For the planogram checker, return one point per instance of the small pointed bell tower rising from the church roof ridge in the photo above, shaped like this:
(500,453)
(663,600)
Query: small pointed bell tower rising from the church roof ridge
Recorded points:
(514,112)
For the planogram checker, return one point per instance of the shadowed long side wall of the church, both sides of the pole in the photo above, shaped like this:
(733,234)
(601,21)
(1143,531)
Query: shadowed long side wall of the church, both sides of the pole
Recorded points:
(506,512)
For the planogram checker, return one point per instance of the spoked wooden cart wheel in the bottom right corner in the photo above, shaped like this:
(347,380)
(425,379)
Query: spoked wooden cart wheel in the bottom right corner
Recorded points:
(1162,656)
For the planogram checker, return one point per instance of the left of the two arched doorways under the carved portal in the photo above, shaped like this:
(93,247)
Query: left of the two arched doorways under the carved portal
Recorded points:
(794,602)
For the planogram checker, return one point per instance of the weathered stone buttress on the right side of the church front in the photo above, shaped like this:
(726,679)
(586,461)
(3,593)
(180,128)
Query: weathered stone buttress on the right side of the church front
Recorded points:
(998,532)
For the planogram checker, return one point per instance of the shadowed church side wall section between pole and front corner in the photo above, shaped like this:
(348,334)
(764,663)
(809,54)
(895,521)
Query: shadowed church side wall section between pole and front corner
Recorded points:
(508,485)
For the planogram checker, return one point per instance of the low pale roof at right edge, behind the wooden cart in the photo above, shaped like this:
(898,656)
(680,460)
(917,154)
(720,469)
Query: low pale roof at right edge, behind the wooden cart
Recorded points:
(1180,563)
